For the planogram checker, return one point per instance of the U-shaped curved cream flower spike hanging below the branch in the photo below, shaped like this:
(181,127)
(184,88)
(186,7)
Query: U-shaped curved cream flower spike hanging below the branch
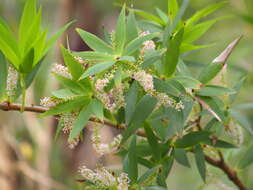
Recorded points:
(102,148)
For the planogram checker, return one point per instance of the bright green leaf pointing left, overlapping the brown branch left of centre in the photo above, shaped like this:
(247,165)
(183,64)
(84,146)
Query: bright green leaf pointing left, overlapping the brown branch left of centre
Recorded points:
(70,105)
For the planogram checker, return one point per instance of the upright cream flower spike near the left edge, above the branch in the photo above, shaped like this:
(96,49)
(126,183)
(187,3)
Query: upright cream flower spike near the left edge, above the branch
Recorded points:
(12,79)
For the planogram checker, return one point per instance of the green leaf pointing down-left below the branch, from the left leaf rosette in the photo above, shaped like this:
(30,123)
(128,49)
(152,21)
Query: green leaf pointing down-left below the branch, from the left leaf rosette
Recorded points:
(81,121)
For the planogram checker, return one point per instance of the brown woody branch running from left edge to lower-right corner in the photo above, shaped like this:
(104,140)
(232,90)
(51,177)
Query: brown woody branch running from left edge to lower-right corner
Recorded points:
(221,164)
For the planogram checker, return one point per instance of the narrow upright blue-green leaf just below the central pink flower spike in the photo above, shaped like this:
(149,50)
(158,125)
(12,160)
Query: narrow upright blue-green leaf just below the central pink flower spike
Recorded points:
(131,100)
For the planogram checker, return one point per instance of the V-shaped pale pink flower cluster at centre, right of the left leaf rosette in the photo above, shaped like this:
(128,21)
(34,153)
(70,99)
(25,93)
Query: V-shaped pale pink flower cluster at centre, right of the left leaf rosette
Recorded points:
(112,100)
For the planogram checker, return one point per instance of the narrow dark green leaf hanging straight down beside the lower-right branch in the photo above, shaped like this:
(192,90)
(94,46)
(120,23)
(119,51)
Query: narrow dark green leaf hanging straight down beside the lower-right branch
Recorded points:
(200,161)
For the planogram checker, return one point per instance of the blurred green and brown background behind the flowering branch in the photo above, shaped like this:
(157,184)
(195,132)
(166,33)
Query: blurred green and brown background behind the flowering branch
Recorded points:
(47,164)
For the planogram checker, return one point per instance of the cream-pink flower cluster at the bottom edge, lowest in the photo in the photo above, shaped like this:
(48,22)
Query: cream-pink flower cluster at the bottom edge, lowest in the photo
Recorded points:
(103,178)
